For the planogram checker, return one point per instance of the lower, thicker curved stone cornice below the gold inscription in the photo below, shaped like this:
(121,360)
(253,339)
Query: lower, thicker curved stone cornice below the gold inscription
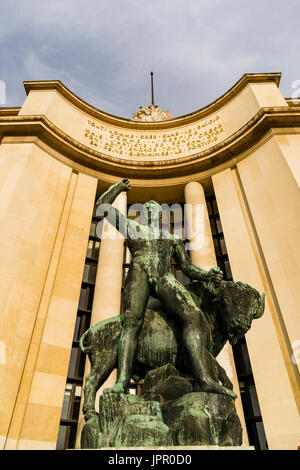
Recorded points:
(229,149)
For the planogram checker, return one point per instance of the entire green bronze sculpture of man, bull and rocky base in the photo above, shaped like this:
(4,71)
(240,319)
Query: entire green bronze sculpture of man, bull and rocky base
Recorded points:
(182,333)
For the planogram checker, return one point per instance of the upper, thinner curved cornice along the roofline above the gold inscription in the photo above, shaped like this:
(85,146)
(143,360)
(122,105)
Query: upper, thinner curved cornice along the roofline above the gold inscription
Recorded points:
(201,113)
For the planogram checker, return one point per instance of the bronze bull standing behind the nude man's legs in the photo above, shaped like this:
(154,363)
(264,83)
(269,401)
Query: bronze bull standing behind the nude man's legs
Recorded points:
(229,310)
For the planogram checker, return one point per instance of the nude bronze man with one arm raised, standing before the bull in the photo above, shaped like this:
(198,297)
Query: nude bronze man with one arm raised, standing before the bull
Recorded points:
(150,272)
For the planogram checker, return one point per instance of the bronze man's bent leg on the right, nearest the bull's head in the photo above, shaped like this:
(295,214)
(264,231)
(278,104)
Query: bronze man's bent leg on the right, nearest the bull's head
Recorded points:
(195,332)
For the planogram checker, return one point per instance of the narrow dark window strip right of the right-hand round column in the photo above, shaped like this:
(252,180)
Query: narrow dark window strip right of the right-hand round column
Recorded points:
(254,424)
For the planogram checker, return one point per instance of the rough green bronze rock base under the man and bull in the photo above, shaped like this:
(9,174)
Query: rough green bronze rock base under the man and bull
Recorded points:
(168,414)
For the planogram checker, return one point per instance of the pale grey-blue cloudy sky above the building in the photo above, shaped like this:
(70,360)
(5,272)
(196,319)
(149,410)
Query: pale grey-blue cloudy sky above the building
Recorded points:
(104,50)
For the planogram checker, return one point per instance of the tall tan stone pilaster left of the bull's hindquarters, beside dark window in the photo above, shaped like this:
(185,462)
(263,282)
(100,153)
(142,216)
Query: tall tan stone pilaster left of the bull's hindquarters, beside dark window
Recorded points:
(35,421)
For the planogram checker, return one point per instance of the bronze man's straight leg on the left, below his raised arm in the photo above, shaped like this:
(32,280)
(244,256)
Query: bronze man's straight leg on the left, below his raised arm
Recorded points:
(135,297)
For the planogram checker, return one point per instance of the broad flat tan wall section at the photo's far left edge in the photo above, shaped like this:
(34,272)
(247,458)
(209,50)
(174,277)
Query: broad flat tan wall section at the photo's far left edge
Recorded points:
(33,190)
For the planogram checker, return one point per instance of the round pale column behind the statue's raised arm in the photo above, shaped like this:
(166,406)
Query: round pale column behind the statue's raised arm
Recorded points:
(107,294)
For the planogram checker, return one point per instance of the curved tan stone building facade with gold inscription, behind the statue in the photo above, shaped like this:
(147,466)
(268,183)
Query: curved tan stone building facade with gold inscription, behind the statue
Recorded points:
(239,154)
